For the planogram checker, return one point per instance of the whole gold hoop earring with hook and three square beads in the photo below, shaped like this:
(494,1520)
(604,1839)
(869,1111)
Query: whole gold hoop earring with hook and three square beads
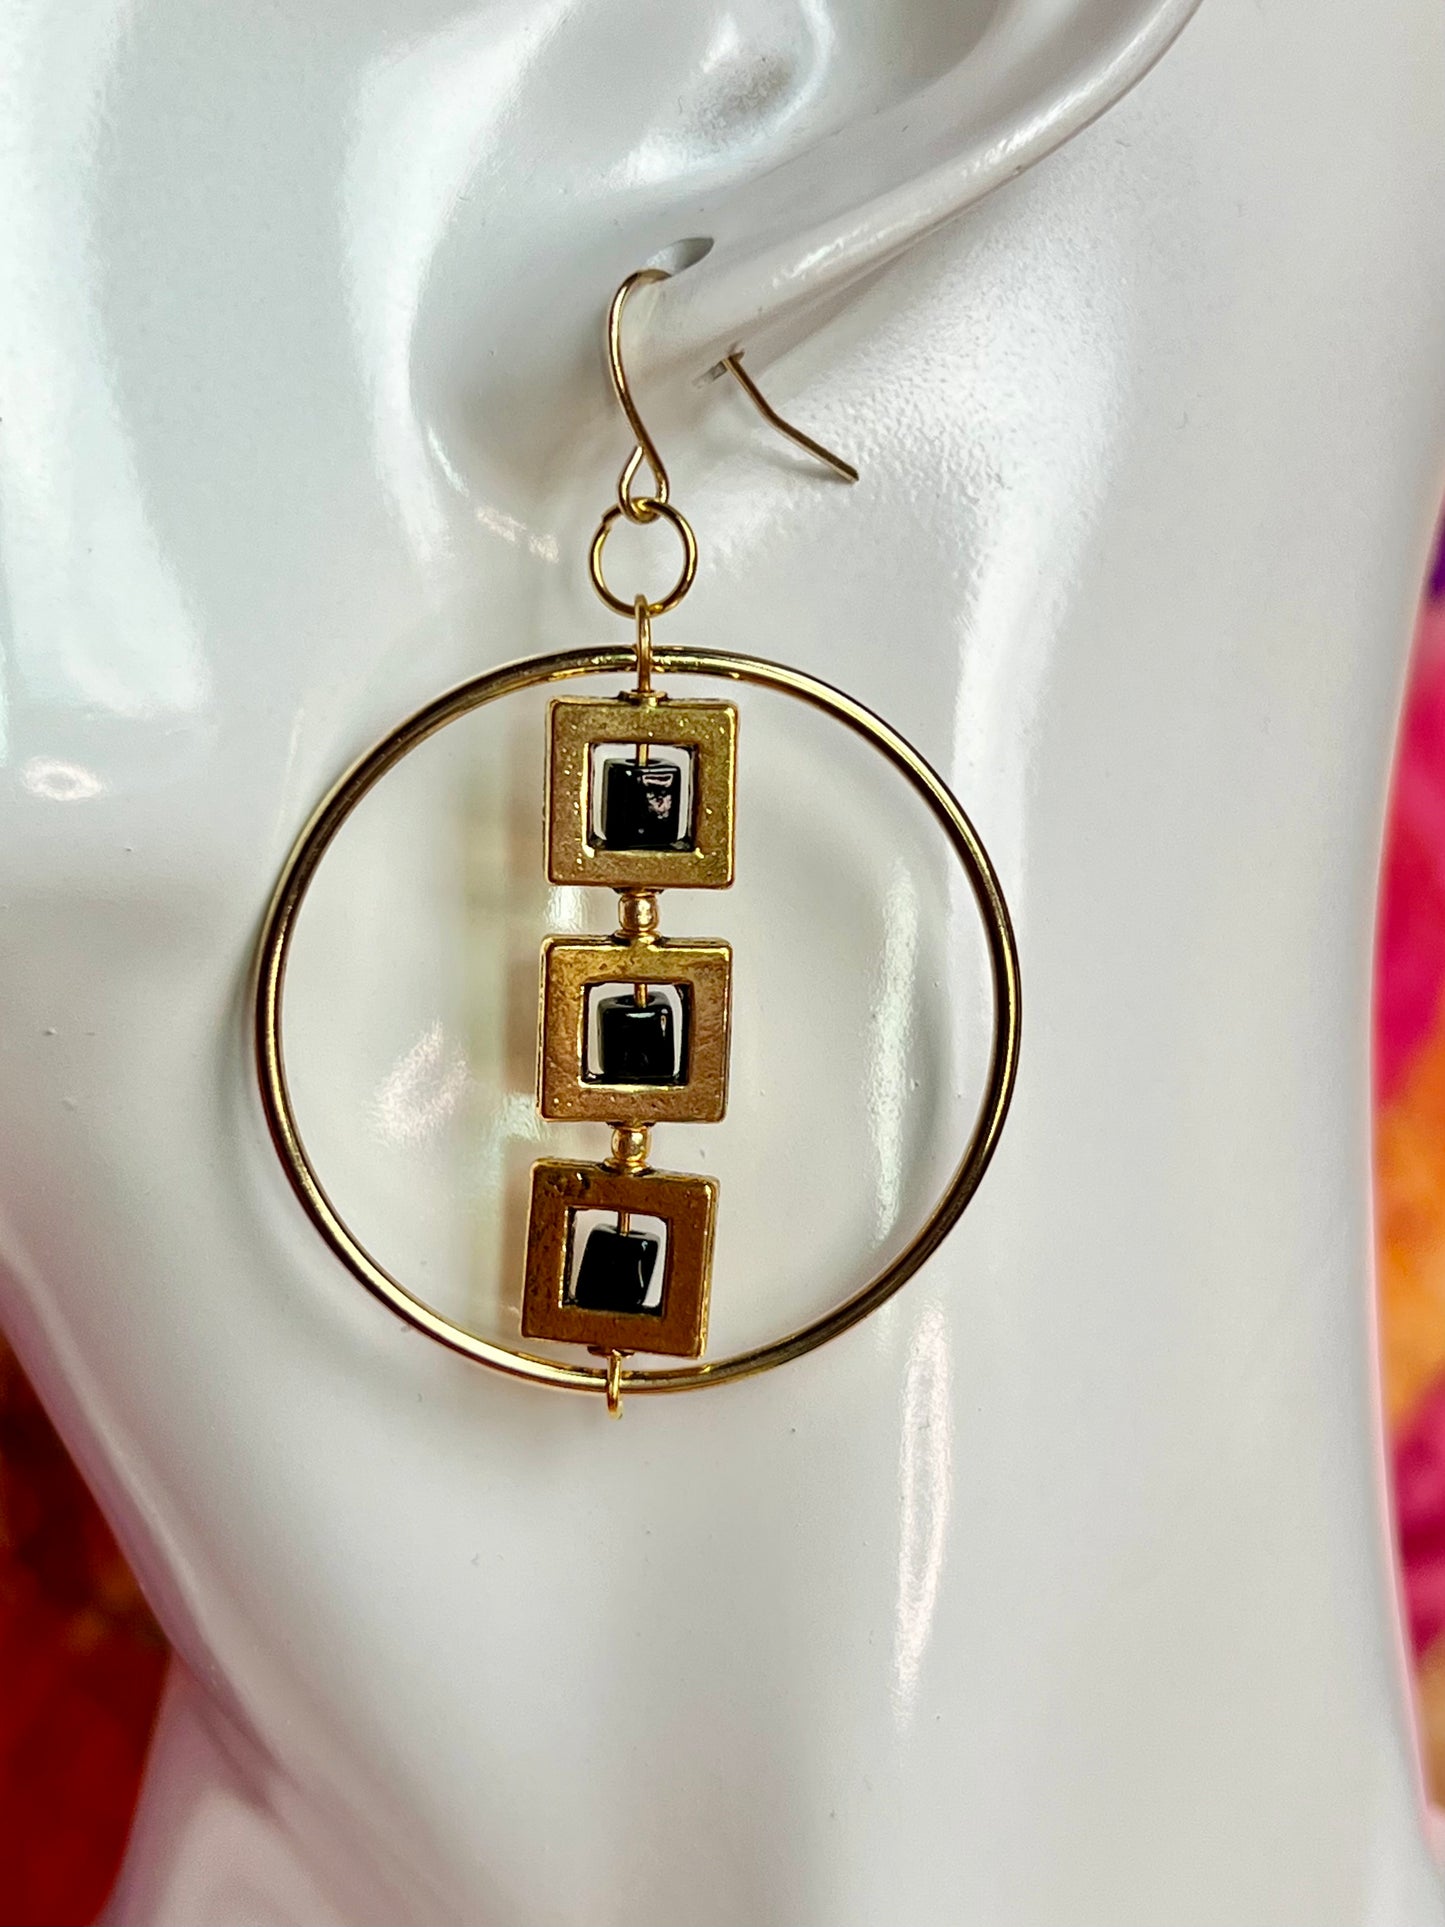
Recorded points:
(635,1028)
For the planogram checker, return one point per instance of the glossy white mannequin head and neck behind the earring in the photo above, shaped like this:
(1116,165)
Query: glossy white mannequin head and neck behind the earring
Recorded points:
(1059,1593)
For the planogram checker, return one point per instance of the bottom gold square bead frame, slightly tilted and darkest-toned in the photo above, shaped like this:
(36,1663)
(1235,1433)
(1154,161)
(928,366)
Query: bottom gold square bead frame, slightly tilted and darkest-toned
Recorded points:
(689,1209)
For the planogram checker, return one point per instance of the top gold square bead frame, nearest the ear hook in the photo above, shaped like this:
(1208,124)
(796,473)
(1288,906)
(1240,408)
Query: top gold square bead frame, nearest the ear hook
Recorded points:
(710,731)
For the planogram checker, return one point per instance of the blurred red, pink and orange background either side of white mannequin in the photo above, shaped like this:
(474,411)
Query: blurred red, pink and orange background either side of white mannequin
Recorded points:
(82,1662)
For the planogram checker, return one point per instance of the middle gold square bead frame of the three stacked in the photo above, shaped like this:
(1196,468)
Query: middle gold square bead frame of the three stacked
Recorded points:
(571,966)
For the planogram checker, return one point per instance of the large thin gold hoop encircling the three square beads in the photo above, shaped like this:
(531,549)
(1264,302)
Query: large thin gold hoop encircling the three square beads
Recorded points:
(540,670)
